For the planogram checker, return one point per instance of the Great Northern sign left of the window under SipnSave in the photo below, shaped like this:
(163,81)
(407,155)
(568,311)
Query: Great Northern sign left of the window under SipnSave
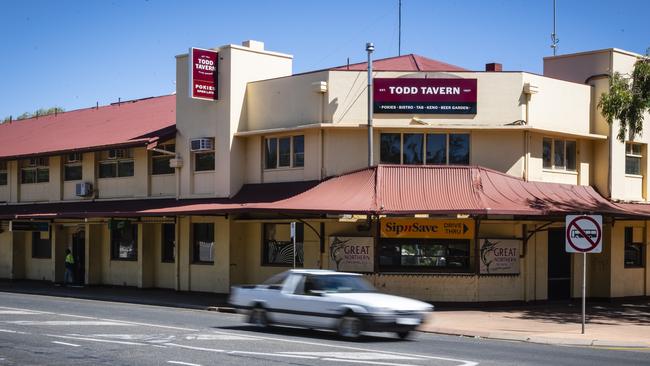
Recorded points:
(352,254)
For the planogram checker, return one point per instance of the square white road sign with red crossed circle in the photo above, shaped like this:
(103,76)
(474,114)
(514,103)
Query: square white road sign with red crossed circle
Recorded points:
(584,233)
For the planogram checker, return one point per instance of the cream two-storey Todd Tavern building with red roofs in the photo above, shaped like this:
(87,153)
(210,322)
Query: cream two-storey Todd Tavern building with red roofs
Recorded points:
(465,199)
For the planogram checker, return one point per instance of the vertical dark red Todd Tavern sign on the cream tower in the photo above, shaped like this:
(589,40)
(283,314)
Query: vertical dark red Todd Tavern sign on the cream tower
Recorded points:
(203,74)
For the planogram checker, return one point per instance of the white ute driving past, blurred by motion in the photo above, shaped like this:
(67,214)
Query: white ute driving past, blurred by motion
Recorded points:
(323,299)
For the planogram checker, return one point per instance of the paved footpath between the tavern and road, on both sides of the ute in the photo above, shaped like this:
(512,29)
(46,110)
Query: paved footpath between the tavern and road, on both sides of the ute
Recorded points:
(616,323)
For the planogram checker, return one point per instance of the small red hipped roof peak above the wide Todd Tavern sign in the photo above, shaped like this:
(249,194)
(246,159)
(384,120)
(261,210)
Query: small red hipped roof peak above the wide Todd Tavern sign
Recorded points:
(408,62)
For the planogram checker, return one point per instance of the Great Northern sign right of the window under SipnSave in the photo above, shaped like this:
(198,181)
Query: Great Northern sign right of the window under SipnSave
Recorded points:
(500,256)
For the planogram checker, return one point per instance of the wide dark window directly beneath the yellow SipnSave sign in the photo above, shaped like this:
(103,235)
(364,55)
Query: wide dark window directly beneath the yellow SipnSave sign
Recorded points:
(424,254)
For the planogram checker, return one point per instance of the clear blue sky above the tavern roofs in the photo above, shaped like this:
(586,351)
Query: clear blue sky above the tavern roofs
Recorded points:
(73,54)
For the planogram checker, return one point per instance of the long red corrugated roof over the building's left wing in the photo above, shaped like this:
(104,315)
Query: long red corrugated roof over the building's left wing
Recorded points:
(132,122)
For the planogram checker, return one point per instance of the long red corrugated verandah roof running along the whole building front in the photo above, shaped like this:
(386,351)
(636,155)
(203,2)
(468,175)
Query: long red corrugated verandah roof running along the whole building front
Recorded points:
(384,189)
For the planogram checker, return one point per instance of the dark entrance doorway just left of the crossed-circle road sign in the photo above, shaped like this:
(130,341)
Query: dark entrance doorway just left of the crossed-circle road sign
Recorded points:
(559,267)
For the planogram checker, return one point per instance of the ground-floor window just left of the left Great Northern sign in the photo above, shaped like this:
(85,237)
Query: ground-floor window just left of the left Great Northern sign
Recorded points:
(278,245)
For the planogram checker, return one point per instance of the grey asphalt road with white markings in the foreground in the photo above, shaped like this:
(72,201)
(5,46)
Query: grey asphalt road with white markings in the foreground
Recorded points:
(41,330)
